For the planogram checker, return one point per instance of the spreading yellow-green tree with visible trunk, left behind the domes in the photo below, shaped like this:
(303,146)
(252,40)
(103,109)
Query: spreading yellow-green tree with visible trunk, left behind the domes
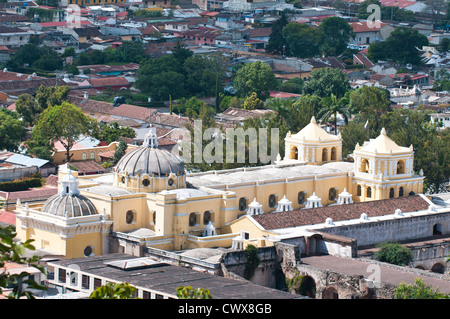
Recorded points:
(63,123)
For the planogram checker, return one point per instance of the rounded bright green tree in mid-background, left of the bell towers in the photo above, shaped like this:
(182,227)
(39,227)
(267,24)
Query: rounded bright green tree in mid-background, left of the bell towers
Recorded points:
(255,77)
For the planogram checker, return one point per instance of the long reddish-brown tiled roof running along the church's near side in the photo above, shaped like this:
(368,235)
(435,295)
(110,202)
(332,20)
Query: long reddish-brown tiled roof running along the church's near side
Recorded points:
(311,216)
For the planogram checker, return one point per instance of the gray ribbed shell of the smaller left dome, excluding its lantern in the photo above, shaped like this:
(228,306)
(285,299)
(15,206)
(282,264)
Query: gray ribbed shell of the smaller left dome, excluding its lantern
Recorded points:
(69,206)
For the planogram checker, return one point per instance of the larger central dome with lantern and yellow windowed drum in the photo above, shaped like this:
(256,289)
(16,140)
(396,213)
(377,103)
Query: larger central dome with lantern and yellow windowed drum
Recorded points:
(149,168)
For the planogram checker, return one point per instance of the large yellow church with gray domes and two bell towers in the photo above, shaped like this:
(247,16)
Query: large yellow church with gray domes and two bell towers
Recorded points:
(149,200)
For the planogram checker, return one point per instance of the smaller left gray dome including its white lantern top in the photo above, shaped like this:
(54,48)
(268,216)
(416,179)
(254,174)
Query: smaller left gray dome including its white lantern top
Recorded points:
(69,202)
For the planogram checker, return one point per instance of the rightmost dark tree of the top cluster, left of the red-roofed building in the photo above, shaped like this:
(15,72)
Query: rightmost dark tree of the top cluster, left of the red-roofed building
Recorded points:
(337,32)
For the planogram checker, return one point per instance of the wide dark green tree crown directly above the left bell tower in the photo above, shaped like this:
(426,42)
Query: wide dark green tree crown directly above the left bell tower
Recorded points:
(326,81)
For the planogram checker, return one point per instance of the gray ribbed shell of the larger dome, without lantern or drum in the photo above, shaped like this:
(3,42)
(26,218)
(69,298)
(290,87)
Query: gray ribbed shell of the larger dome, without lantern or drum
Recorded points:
(149,160)
